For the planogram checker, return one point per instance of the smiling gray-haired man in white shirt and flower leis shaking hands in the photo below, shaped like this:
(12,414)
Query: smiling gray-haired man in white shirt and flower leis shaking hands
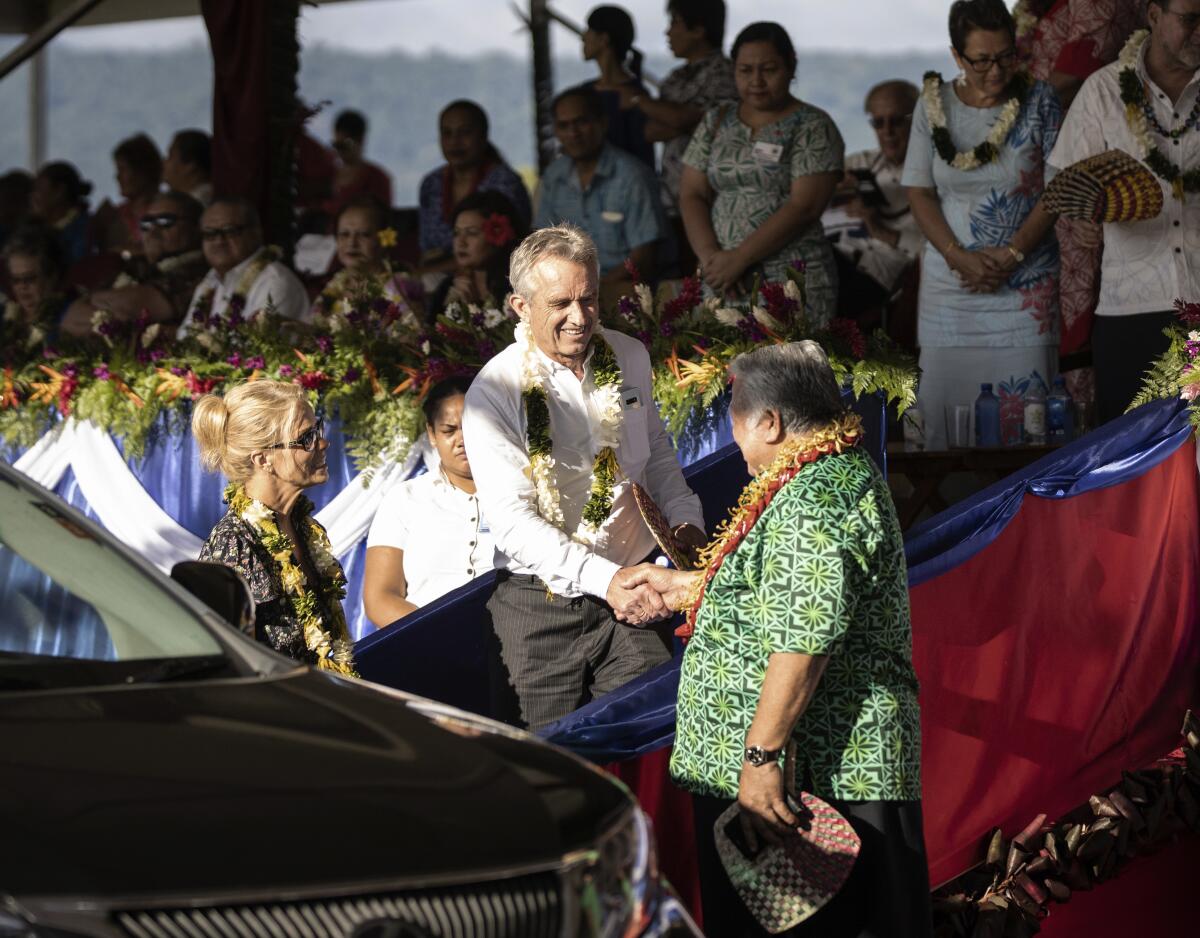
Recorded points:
(561,591)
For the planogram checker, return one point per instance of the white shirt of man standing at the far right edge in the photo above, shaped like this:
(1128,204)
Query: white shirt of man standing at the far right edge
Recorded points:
(1150,264)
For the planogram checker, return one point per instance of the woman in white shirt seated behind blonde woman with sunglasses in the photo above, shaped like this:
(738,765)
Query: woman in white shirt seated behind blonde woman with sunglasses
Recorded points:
(429,537)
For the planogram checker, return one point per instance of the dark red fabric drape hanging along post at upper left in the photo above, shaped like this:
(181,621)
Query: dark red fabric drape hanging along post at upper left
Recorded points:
(238,34)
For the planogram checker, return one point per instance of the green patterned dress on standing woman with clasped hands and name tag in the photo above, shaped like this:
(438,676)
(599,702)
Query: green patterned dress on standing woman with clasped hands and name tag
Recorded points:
(752,176)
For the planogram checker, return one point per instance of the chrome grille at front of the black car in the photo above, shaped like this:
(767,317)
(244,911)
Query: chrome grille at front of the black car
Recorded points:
(529,907)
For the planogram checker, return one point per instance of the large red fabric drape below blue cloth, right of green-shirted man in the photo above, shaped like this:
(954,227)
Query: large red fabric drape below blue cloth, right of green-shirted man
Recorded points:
(1064,653)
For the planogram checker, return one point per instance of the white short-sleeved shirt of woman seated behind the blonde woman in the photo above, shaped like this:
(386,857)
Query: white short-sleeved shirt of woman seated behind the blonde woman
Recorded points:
(446,540)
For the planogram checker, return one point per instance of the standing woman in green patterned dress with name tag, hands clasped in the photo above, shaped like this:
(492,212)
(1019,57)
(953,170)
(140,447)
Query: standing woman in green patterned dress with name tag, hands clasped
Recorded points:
(758,177)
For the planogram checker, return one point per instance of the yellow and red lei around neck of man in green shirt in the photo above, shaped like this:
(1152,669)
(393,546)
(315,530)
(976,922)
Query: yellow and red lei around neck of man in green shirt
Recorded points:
(837,437)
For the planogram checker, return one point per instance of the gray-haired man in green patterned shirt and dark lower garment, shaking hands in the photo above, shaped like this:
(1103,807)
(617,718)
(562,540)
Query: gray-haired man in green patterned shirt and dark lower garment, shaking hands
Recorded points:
(799,675)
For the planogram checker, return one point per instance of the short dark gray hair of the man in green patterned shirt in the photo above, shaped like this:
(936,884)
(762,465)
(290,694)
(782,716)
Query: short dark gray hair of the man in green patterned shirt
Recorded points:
(794,380)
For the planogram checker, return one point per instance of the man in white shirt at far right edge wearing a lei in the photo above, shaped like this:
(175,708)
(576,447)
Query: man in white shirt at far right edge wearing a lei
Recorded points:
(1147,266)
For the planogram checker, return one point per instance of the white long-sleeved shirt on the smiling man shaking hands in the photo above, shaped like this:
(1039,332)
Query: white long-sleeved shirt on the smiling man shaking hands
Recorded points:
(495,434)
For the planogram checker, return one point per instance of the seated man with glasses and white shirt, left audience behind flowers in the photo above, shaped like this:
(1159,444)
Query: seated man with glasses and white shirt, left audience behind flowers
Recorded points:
(244,276)
